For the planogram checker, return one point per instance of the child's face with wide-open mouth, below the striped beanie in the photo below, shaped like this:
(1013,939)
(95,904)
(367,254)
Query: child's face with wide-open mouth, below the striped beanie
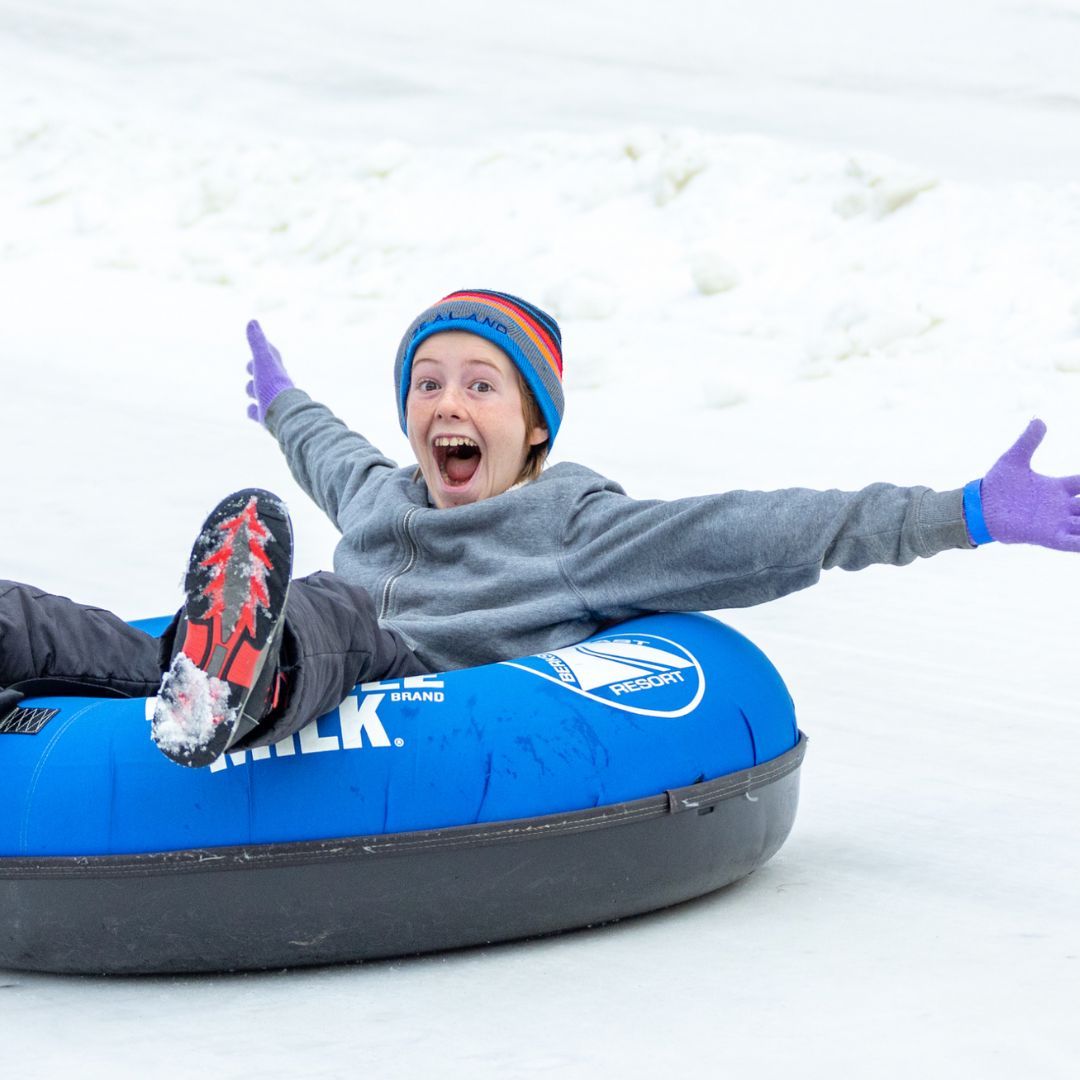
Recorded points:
(464,388)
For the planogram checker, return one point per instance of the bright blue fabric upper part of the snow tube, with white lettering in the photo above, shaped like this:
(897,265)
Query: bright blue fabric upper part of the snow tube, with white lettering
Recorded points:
(656,705)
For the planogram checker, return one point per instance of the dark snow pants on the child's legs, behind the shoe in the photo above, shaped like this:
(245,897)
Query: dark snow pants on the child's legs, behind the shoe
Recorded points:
(331,641)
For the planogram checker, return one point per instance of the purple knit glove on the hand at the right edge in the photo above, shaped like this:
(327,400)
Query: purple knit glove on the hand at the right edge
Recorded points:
(1020,506)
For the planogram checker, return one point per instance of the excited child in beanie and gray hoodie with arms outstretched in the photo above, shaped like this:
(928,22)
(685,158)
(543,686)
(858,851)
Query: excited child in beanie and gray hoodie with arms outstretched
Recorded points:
(478,556)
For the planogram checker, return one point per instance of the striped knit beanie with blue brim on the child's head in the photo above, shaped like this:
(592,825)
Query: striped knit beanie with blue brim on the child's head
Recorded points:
(528,335)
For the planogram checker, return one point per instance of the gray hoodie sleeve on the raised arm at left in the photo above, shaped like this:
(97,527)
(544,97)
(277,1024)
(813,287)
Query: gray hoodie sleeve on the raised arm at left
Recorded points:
(331,463)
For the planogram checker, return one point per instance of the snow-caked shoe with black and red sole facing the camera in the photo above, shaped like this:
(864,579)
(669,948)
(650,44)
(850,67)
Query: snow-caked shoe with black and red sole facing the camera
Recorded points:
(224,677)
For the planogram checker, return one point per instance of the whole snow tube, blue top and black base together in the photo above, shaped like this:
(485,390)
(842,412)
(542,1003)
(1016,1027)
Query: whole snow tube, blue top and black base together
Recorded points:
(510,788)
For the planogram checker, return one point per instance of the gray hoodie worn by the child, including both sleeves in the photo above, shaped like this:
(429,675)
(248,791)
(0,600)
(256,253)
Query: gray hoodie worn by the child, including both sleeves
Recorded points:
(545,565)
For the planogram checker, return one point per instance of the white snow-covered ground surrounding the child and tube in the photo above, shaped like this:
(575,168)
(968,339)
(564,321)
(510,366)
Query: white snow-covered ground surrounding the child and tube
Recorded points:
(790,245)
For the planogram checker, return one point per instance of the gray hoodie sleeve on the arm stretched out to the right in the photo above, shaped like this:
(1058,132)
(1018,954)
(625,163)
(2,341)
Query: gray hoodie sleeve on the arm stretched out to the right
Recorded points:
(626,557)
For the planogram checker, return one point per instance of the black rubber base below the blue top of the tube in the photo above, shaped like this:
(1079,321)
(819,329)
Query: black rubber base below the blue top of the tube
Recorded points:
(370,898)
